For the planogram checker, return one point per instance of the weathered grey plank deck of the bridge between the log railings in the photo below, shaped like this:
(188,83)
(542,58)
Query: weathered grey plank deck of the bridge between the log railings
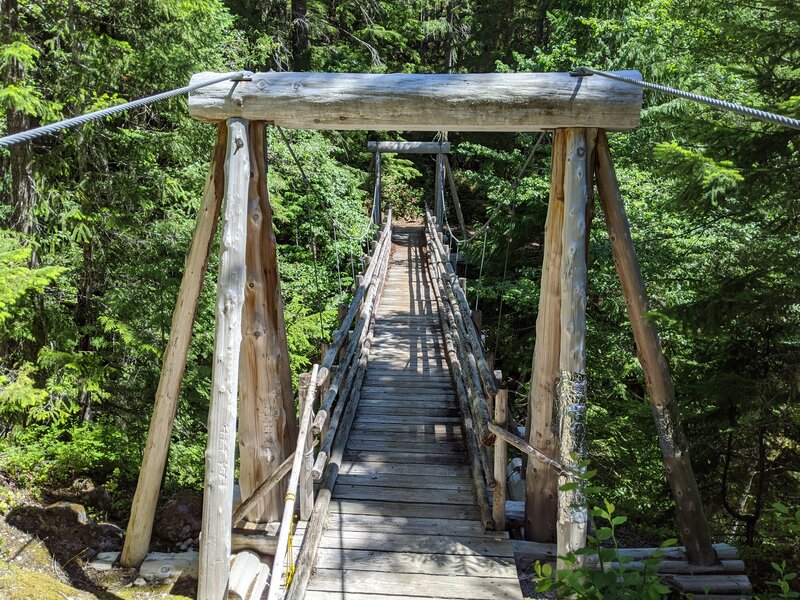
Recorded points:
(403,520)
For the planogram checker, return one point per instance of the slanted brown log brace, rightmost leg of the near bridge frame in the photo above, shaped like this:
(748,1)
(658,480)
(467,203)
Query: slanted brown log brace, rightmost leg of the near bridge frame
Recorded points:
(693,525)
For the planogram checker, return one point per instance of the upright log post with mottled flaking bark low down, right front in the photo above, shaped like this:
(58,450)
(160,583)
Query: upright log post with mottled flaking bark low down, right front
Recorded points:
(571,391)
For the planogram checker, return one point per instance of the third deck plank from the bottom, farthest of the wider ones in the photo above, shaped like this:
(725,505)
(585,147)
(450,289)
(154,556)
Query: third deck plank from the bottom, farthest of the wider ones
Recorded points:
(482,545)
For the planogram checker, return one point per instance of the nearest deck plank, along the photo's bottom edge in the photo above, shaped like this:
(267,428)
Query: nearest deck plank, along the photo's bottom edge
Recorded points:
(487,588)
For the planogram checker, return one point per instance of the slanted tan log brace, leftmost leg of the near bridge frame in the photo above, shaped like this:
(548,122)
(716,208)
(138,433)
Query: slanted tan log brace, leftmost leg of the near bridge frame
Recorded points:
(140,525)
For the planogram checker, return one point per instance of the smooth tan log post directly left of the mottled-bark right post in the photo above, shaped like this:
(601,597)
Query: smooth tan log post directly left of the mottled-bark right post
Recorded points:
(541,494)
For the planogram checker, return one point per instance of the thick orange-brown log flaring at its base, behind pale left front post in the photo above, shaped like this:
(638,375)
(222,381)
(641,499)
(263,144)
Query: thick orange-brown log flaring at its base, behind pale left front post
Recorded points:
(267,414)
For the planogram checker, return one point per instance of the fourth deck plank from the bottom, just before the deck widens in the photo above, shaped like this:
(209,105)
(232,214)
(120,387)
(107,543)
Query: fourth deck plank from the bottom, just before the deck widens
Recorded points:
(405,525)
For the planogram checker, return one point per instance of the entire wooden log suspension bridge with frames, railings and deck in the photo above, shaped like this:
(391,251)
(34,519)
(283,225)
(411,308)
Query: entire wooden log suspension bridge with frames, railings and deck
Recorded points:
(390,481)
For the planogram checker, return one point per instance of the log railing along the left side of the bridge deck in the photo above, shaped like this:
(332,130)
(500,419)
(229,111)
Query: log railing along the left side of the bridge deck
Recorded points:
(331,395)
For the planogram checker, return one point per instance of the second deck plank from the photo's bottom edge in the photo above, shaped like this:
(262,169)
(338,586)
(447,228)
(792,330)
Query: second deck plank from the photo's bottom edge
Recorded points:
(426,564)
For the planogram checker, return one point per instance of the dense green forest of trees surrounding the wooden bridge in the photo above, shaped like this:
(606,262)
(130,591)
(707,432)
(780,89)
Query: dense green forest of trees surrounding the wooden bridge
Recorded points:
(95,224)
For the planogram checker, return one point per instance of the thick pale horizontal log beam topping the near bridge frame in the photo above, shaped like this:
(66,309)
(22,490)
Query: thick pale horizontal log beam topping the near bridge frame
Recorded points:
(411,102)
